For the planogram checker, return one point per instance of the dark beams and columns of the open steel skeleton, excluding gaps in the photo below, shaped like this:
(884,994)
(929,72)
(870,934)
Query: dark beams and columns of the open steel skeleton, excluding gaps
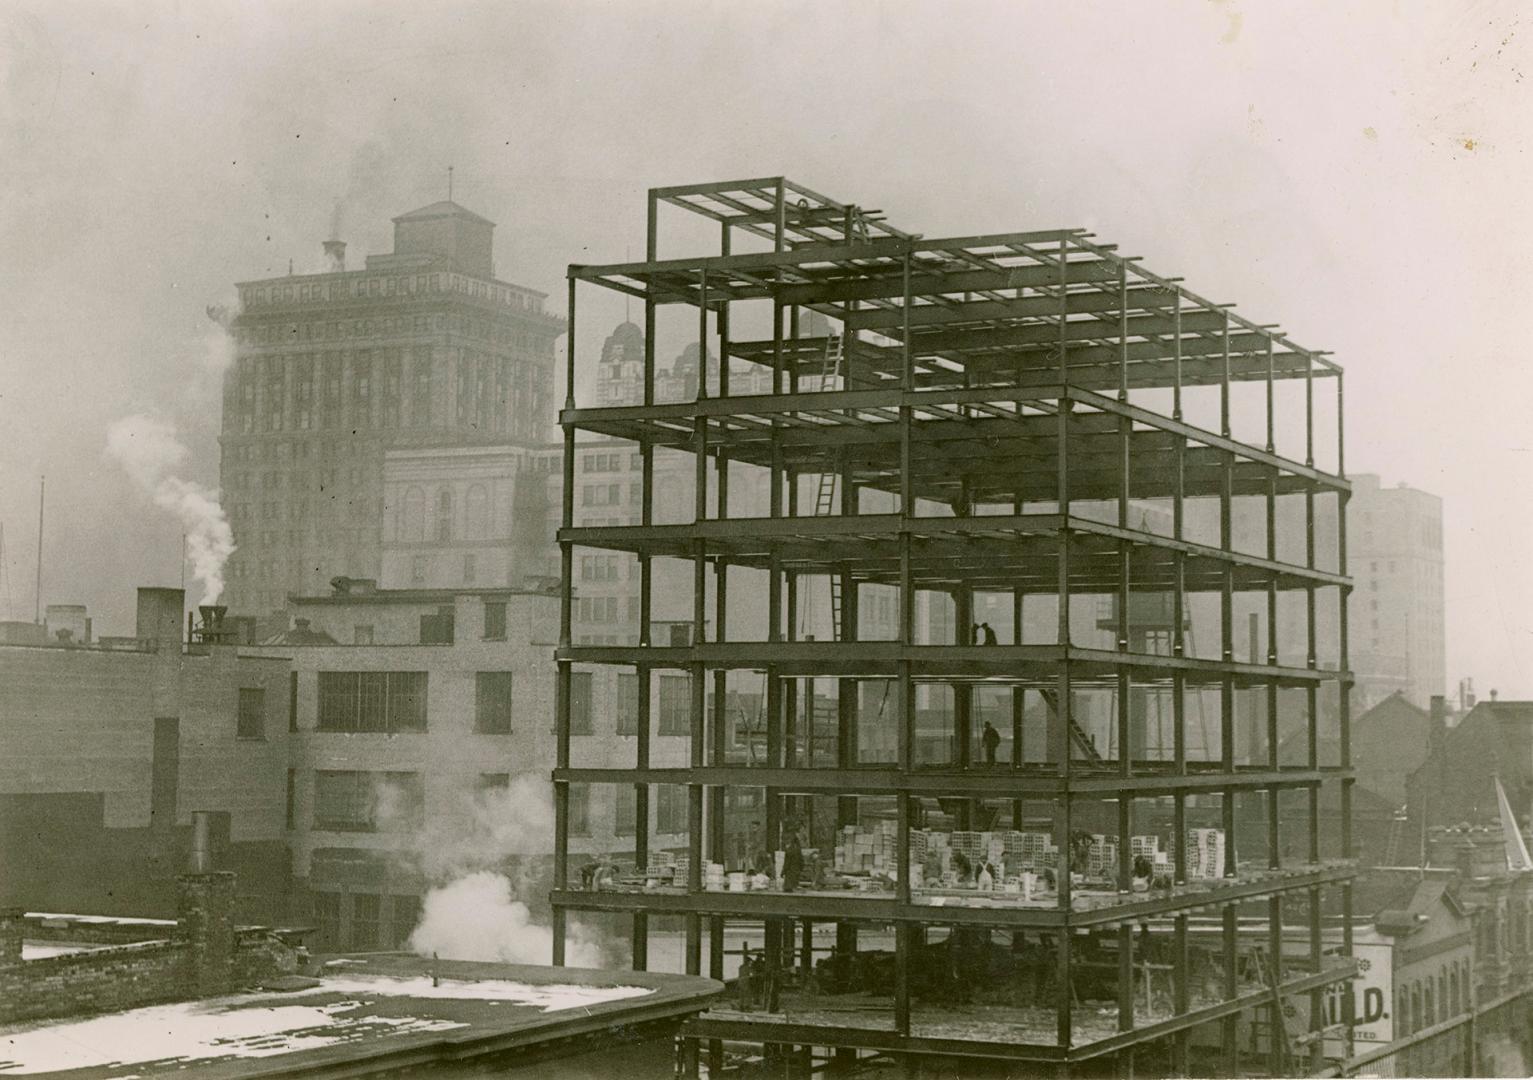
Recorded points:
(991,388)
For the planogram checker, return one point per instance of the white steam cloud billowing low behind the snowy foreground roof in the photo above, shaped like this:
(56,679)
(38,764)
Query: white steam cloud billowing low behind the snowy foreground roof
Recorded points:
(476,914)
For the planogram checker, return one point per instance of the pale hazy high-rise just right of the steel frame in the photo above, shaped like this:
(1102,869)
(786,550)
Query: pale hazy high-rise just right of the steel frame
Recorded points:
(1396,560)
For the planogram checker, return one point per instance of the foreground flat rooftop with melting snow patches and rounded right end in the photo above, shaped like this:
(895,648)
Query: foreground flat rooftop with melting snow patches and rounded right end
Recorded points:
(363,1015)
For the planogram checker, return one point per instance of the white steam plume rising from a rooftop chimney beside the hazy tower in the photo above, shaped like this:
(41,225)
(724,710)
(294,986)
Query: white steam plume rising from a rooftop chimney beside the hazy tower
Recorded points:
(149,453)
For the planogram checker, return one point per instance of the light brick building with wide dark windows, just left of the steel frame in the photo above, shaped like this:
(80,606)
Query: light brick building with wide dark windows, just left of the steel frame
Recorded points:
(421,750)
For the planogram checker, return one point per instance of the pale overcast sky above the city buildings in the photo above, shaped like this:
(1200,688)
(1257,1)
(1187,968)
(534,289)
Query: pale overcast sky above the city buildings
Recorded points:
(1359,174)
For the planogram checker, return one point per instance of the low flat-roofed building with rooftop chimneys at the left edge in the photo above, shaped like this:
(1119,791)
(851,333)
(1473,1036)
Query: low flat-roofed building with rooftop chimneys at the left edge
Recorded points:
(110,747)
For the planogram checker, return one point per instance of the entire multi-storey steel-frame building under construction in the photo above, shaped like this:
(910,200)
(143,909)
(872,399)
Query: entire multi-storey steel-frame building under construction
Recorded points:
(1028,422)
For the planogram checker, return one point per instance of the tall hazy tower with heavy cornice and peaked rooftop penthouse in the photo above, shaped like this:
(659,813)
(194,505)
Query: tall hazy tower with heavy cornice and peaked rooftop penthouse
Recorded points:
(421,349)
